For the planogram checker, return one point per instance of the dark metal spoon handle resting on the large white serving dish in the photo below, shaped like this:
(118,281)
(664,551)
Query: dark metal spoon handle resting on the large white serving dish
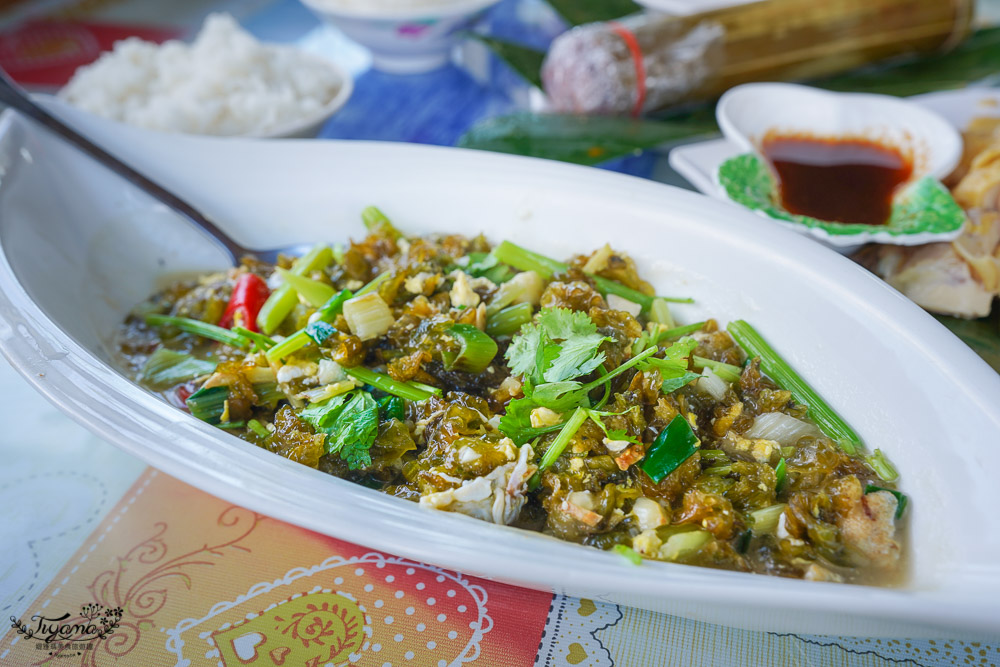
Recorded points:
(12,95)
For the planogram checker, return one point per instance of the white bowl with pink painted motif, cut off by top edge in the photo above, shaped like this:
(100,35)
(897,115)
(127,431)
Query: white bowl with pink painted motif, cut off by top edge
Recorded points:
(402,40)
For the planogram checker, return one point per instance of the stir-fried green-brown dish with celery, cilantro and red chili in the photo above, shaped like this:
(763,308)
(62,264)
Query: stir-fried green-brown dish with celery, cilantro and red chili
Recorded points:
(510,387)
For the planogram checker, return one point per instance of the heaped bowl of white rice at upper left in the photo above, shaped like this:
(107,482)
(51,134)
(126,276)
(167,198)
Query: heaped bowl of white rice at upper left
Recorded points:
(224,83)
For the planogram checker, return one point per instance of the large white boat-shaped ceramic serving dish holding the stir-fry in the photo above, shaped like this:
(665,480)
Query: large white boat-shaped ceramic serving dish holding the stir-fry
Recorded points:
(78,248)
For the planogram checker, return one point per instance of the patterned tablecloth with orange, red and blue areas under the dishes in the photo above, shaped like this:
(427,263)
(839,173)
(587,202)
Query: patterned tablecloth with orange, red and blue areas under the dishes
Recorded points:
(93,538)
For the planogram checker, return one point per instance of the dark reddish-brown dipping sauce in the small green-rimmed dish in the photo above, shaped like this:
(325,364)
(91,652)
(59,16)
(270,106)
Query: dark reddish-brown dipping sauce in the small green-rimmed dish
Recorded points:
(842,180)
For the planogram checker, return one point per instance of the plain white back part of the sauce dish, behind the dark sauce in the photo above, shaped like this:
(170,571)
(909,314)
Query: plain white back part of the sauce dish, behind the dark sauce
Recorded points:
(746,113)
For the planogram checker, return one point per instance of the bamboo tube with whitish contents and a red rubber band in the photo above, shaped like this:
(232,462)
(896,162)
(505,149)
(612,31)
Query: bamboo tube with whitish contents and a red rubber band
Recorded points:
(650,61)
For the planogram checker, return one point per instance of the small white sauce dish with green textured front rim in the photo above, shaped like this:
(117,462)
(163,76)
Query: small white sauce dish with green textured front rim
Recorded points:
(923,210)
